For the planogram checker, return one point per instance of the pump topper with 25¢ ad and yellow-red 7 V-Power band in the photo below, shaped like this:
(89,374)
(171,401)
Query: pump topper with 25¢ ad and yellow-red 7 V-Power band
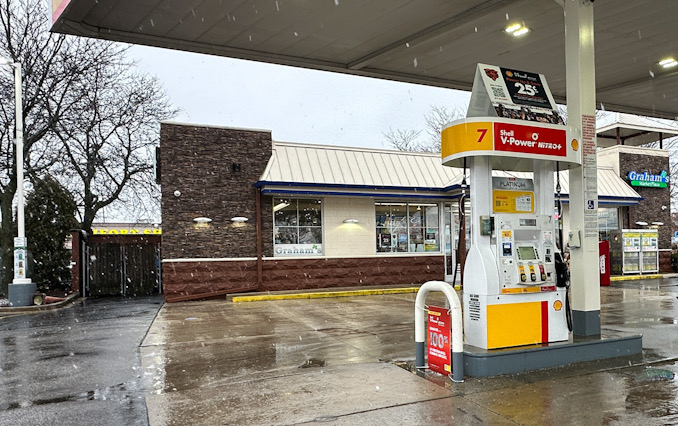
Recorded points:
(511,118)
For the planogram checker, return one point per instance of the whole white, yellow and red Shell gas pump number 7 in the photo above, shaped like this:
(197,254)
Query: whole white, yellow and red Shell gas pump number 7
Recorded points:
(511,297)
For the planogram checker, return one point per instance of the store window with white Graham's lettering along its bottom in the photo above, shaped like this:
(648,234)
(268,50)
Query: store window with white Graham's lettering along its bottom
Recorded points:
(297,227)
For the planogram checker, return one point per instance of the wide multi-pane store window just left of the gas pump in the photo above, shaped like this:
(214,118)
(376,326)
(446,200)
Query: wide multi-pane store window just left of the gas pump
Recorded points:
(407,227)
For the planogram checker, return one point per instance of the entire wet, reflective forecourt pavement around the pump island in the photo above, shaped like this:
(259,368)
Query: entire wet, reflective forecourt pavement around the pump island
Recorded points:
(334,361)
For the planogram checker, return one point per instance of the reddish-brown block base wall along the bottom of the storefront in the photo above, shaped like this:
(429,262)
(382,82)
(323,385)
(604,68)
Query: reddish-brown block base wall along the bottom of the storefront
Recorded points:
(202,277)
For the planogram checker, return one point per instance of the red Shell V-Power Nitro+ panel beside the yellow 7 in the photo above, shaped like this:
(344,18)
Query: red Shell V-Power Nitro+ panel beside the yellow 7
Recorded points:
(529,139)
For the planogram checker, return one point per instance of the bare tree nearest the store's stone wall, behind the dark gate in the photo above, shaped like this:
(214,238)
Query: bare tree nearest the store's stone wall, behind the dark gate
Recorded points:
(108,145)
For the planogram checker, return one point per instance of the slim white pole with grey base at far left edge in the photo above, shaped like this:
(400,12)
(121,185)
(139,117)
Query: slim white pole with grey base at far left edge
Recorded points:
(21,290)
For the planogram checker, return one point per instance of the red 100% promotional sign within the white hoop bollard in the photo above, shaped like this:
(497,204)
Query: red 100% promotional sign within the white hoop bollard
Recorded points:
(439,357)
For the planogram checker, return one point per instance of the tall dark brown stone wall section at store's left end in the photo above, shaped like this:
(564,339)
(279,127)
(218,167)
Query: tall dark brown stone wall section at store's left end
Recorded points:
(215,170)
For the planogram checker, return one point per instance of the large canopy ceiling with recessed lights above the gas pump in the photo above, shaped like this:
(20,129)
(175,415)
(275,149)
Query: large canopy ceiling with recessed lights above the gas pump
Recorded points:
(432,42)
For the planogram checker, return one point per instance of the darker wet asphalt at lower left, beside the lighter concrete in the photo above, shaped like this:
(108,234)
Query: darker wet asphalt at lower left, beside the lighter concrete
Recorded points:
(77,365)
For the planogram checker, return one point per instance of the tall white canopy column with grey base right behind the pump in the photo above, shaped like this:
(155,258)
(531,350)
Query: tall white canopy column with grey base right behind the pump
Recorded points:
(581,113)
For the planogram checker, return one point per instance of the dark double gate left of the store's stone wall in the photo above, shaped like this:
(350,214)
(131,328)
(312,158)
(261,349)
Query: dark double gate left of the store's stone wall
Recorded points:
(123,270)
